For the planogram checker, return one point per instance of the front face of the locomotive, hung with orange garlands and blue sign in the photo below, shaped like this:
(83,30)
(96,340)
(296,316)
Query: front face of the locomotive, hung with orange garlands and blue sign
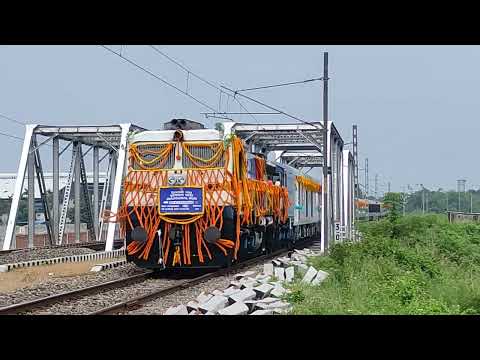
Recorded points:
(178,198)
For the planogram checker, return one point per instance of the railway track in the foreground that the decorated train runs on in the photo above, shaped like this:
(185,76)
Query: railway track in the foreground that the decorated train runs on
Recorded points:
(103,298)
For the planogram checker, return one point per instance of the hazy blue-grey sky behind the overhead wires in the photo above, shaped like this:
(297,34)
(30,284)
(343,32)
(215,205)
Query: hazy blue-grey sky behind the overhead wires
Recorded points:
(416,107)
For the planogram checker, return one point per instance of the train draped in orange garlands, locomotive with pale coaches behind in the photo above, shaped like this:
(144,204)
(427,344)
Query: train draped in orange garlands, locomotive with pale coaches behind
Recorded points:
(195,197)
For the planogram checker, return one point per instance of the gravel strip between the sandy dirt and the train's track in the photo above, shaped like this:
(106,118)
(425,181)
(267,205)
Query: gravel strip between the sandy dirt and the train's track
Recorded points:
(60,285)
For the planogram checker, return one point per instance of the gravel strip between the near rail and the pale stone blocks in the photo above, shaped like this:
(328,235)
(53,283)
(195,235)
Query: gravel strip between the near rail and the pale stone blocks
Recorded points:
(159,306)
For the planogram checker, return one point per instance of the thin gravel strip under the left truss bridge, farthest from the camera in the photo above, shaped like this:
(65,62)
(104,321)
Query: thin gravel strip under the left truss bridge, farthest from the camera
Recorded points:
(39,253)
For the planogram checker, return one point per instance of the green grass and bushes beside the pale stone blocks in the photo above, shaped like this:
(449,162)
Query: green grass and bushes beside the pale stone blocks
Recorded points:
(413,265)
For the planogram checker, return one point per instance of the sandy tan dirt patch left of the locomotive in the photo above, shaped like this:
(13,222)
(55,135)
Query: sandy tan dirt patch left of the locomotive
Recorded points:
(20,278)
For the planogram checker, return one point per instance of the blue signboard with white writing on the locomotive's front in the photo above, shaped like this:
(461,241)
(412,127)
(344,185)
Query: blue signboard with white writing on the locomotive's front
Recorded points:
(181,200)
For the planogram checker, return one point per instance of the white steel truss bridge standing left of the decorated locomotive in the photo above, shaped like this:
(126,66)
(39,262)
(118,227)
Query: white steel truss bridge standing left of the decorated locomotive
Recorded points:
(112,140)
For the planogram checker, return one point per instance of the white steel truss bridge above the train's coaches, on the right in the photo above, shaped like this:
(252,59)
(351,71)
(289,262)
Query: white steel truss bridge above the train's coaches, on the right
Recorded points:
(302,146)
